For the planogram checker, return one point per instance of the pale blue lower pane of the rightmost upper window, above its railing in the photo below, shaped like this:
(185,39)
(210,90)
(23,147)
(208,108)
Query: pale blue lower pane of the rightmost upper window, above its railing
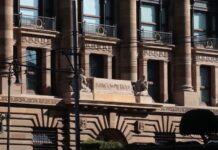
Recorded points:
(200,21)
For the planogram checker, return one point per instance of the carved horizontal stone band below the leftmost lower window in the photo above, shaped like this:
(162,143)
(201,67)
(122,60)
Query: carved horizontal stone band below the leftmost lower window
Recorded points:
(31,100)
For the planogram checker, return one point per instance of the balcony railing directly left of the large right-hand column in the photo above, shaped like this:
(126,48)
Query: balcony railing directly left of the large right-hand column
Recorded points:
(156,36)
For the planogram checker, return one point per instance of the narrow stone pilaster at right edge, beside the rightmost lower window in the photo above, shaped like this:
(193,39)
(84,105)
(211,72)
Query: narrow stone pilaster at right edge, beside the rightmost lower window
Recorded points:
(214,86)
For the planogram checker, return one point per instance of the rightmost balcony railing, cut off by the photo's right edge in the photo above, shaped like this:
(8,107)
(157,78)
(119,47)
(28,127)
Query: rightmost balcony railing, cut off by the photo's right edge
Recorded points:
(205,42)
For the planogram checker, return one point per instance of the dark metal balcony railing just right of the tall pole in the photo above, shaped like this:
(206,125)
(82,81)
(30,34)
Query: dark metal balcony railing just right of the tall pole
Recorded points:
(98,29)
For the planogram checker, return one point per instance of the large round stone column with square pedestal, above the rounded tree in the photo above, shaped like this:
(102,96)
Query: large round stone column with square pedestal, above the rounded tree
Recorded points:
(184,94)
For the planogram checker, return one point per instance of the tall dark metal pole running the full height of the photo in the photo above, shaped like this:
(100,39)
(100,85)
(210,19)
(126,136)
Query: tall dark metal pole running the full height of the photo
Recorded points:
(76,77)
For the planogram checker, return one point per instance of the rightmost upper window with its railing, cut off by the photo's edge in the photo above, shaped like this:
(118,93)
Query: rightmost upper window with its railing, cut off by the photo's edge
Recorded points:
(205,24)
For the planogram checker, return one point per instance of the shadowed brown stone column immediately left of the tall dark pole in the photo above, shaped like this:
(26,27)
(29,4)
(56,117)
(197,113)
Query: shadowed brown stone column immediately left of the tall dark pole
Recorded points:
(65,22)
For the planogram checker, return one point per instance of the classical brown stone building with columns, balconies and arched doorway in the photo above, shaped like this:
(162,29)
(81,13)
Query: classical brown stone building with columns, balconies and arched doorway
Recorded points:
(171,44)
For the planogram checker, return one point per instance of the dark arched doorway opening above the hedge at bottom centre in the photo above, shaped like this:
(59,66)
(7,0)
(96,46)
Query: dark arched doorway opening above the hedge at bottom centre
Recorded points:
(112,135)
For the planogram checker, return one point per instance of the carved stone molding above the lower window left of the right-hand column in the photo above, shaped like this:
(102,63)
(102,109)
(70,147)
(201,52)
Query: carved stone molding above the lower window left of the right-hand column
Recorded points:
(157,54)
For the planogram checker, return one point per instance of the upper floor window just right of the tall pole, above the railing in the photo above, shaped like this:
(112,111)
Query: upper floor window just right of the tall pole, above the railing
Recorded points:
(97,11)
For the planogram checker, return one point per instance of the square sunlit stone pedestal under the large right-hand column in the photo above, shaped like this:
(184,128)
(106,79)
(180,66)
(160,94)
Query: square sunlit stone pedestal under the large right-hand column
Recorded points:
(186,98)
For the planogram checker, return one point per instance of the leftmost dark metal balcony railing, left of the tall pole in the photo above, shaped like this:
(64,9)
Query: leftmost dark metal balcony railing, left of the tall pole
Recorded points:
(35,22)
